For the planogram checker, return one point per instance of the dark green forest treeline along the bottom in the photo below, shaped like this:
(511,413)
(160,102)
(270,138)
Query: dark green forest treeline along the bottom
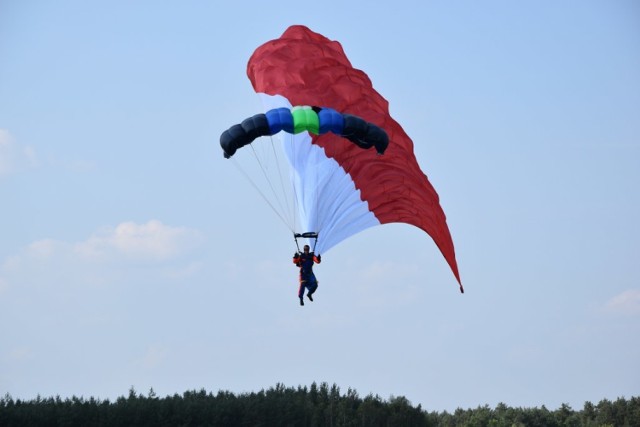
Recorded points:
(317,405)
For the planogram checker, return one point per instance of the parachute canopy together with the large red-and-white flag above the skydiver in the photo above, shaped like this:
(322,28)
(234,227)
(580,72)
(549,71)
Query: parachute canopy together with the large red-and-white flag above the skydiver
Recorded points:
(340,187)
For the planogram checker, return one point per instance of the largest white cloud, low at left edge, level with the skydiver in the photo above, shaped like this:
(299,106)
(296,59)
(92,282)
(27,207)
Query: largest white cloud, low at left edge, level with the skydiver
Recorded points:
(106,256)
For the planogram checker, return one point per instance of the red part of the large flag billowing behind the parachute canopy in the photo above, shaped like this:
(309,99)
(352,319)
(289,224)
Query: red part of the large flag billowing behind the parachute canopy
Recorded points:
(309,69)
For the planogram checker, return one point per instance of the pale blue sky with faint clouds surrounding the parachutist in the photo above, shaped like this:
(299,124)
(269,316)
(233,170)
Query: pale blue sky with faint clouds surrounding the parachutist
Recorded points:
(133,254)
